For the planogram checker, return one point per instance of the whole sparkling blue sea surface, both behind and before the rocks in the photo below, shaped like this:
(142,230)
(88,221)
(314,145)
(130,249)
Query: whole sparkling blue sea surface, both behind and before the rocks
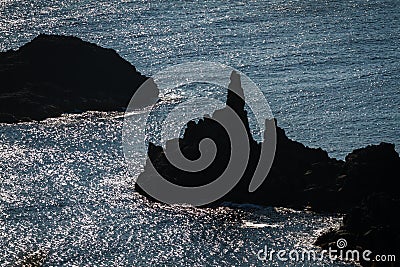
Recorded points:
(330,70)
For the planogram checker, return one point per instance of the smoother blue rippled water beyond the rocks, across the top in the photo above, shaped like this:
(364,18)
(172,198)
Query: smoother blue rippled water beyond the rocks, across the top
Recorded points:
(330,69)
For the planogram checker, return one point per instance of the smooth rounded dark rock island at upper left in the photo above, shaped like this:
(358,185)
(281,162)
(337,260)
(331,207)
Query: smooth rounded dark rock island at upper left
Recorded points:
(54,74)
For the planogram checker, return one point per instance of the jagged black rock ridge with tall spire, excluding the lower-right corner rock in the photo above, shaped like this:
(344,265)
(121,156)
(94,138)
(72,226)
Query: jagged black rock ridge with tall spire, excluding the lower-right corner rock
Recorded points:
(300,176)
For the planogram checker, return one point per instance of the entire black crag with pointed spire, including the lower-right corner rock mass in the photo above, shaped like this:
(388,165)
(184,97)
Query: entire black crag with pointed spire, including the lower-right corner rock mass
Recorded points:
(365,185)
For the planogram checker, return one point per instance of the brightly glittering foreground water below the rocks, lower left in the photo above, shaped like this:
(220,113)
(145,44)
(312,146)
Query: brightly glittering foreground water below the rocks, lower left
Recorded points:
(65,191)
